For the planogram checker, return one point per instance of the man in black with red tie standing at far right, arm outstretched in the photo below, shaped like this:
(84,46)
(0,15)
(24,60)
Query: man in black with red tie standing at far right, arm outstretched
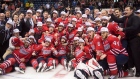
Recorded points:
(132,30)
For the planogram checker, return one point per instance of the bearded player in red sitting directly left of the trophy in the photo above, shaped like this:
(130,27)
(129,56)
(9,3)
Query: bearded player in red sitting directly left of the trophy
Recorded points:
(62,51)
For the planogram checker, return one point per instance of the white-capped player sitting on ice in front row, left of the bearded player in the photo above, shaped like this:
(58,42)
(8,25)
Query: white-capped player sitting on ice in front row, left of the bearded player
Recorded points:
(45,52)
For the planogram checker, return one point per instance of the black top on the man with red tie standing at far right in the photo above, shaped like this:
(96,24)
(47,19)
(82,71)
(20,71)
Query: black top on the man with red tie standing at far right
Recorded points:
(132,27)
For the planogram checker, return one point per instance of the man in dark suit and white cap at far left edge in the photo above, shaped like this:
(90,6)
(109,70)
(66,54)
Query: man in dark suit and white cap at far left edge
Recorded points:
(5,34)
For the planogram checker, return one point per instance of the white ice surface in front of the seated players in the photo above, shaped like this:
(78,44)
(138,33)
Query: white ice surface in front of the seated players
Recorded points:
(58,73)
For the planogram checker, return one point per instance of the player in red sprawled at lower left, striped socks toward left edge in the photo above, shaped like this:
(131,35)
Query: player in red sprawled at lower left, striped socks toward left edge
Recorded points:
(19,57)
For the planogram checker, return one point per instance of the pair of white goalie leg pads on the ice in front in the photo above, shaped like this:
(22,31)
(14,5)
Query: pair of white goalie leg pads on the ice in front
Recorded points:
(89,69)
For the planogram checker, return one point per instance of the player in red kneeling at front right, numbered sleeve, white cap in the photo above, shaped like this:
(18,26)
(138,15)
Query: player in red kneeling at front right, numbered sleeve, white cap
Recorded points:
(115,56)
